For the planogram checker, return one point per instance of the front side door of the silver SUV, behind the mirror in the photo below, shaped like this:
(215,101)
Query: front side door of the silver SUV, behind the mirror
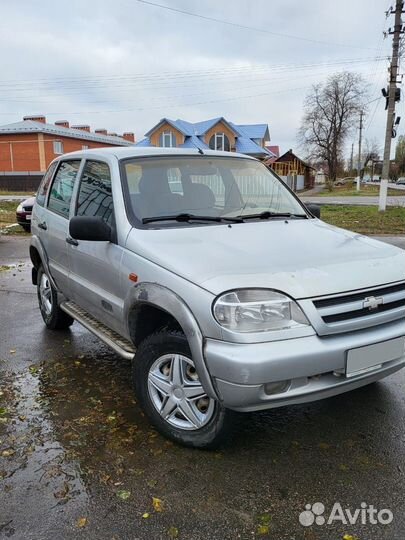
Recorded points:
(94,266)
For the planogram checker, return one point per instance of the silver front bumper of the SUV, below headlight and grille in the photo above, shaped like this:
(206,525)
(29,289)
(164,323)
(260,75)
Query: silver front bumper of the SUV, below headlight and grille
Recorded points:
(242,373)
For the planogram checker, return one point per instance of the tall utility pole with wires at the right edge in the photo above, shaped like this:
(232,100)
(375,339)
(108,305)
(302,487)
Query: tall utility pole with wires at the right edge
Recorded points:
(393,71)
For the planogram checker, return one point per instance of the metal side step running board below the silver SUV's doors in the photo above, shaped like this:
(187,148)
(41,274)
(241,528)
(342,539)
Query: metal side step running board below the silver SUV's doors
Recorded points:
(120,345)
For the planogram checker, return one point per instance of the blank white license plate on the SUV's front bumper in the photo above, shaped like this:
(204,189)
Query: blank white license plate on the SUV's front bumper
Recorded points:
(373,356)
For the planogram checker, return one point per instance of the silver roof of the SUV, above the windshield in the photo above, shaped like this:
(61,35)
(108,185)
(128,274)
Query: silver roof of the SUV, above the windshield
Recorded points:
(134,152)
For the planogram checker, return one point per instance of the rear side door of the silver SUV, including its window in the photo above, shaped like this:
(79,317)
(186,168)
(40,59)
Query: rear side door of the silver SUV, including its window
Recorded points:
(55,222)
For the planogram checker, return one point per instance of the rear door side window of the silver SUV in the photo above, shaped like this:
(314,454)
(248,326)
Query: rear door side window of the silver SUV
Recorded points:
(62,187)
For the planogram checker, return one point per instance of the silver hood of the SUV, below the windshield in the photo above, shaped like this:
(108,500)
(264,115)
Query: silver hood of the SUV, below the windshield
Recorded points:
(301,258)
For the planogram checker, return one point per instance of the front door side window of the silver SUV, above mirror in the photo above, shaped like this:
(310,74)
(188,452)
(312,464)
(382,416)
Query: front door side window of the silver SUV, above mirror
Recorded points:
(95,196)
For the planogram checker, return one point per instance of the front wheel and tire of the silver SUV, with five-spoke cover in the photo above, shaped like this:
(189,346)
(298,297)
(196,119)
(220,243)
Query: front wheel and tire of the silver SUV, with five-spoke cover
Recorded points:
(164,392)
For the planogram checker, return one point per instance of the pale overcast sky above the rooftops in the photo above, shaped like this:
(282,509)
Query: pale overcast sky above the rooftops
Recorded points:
(123,64)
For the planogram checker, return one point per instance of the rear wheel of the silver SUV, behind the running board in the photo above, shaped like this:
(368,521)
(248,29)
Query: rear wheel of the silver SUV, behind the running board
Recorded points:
(53,316)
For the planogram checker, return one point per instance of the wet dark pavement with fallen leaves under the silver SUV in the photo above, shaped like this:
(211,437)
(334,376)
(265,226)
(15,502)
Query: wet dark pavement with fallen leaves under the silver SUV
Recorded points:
(79,461)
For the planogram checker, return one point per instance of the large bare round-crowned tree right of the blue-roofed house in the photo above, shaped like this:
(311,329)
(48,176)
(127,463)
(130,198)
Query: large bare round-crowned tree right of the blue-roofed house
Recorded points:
(330,114)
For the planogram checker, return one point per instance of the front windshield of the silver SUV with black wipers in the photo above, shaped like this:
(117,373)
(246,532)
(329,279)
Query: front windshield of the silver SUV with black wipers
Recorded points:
(205,186)
